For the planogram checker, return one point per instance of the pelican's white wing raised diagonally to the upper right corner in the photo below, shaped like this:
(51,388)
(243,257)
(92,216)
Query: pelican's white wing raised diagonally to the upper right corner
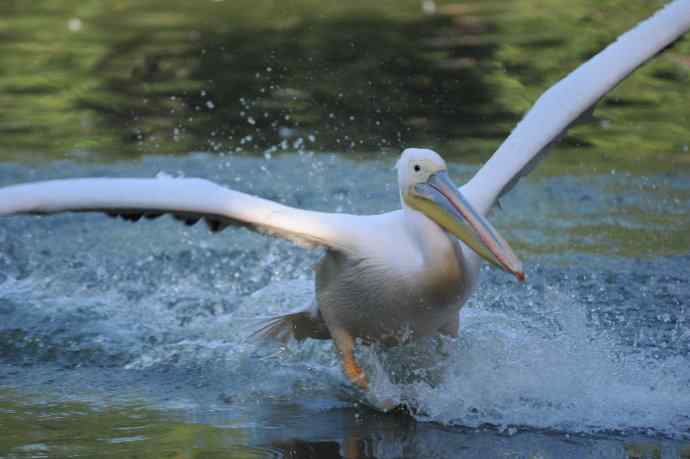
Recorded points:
(572,98)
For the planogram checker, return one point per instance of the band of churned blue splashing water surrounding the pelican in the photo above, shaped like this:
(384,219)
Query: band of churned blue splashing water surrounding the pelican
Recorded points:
(593,342)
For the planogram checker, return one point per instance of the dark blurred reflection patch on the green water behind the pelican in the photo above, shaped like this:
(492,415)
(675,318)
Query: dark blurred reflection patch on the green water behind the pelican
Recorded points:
(355,83)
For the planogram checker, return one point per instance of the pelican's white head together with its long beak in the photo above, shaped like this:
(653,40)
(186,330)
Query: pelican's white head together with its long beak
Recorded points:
(426,187)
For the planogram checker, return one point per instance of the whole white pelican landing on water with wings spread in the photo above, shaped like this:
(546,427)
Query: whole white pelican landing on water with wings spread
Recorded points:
(394,276)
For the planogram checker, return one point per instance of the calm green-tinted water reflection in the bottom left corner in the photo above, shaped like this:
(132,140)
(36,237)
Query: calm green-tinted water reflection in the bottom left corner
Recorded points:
(35,428)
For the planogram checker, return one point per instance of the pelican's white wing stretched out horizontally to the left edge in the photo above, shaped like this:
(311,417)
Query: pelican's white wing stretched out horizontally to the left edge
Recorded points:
(188,199)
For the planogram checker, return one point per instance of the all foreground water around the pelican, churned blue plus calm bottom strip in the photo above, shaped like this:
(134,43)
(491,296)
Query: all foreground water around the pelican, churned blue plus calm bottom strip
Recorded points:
(110,323)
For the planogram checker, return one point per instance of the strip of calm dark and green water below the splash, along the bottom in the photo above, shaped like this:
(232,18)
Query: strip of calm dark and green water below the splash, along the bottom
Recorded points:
(37,427)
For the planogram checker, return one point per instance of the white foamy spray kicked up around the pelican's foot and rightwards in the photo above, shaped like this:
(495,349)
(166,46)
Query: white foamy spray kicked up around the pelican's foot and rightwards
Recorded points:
(545,368)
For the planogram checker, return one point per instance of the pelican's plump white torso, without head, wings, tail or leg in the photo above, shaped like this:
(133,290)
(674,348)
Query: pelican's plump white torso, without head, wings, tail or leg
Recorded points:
(413,284)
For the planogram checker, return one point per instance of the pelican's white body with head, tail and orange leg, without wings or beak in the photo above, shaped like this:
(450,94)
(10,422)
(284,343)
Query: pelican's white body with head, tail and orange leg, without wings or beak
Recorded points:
(403,276)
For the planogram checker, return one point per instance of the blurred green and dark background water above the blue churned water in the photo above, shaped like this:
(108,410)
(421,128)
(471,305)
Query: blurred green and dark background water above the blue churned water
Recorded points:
(121,78)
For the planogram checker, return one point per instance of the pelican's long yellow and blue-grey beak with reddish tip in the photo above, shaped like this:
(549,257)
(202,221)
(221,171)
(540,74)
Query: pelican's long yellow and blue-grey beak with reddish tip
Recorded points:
(439,199)
